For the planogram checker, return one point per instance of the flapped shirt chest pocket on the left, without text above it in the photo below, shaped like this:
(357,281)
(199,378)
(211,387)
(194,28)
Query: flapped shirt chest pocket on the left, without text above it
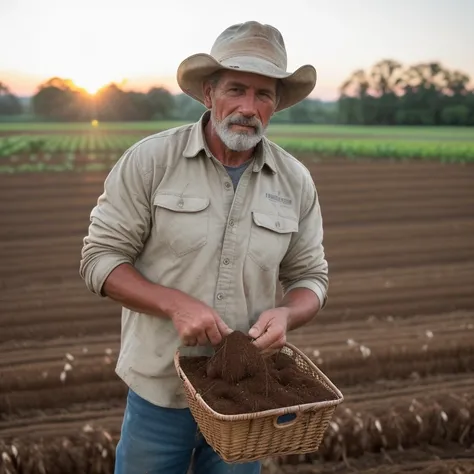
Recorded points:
(182,222)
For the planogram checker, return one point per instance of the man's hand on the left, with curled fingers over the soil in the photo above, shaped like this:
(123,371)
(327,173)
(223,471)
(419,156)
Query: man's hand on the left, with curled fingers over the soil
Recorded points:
(196,322)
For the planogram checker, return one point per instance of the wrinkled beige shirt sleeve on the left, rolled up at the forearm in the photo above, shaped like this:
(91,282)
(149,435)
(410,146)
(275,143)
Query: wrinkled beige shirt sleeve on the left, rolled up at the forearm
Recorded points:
(119,223)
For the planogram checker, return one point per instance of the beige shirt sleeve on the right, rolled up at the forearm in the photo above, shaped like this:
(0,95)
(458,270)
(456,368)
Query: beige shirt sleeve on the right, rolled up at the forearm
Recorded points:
(305,265)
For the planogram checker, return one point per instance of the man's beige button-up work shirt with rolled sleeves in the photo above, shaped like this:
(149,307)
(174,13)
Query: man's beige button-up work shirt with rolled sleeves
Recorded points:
(169,208)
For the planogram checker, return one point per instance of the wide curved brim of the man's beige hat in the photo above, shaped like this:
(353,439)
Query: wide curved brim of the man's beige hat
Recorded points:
(296,85)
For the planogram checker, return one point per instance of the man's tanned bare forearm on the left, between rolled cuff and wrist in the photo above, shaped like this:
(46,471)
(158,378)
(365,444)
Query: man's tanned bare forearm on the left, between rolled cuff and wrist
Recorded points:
(128,287)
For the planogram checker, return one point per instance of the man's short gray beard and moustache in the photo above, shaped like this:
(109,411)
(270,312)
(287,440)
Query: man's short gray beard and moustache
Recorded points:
(238,141)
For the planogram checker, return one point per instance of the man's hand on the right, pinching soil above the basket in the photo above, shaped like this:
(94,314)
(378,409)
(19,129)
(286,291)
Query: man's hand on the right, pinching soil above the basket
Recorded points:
(270,330)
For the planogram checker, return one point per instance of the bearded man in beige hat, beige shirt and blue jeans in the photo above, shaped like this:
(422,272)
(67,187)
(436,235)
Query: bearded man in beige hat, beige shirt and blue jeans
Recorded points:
(193,230)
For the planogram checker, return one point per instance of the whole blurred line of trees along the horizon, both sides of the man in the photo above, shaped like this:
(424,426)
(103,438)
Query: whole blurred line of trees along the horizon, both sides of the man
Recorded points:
(388,93)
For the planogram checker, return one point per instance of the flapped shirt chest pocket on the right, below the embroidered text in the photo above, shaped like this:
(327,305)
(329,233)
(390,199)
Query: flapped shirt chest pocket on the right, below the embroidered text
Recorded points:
(270,236)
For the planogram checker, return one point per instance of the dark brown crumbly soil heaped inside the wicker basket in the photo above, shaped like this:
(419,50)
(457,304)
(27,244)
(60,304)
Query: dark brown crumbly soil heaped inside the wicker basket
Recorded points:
(238,379)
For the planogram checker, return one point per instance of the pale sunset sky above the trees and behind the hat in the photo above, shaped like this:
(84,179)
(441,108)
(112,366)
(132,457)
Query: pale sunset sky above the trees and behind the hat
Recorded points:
(94,42)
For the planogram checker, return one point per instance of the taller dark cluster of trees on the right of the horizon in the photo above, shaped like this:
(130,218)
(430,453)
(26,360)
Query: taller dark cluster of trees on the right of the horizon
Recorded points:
(392,94)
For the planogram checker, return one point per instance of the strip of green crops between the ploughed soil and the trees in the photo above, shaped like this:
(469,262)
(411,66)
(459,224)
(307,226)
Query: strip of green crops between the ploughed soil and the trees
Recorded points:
(58,152)
